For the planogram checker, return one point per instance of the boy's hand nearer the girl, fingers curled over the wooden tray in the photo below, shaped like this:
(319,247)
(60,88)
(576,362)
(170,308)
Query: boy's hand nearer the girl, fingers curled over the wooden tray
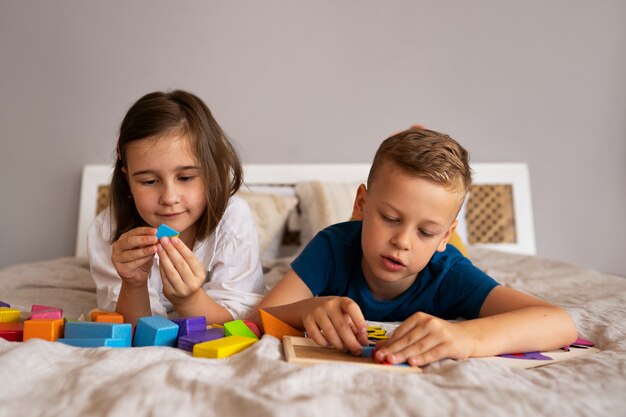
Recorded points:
(336,321)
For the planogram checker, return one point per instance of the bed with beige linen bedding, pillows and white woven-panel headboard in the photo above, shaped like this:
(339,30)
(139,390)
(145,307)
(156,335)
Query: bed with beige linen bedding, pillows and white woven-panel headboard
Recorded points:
(290,204)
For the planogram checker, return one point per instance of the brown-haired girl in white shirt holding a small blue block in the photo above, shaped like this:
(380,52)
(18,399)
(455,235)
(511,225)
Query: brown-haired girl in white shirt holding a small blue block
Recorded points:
(175,166)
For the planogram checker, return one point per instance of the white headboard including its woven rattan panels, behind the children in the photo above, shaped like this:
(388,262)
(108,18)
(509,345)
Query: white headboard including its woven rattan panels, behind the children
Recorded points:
(498,212)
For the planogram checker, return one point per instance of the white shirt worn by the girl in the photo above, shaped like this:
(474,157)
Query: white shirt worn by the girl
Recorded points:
(230,256)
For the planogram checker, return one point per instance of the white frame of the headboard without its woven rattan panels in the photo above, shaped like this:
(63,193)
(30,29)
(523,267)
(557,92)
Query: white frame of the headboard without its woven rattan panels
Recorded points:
(266,176)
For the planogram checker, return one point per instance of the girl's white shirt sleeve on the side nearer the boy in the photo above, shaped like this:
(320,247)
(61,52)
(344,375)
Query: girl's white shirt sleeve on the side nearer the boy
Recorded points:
(235,277)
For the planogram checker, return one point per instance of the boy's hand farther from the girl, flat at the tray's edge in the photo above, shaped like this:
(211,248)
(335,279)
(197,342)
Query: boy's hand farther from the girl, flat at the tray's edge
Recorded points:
(423,339)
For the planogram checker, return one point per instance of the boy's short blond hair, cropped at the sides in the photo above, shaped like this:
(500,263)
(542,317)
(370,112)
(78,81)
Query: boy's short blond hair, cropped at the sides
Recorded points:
(426,154)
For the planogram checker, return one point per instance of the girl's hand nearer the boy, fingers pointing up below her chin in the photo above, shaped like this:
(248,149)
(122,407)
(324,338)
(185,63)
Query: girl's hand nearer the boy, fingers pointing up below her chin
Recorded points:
(181,272)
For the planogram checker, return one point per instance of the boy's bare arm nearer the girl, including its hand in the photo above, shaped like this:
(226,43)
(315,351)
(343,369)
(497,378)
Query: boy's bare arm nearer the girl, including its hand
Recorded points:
(335,321)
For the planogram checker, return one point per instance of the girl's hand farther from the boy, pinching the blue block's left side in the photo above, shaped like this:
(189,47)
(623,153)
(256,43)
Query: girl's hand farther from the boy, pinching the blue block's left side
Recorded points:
(132,255)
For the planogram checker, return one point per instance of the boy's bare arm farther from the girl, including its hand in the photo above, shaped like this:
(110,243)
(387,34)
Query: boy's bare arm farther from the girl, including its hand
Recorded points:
(509,322)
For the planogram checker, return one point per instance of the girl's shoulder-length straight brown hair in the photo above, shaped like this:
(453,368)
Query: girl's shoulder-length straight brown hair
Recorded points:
(182,113)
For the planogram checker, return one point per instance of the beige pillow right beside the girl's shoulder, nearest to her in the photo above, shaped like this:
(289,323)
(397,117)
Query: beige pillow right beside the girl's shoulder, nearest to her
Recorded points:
(270,213)
